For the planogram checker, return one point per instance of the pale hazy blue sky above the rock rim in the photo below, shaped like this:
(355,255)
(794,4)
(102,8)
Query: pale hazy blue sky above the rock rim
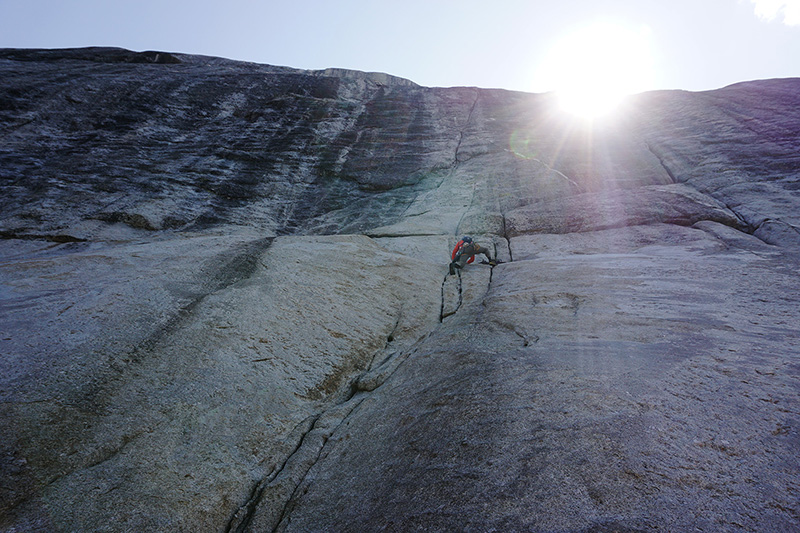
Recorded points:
(682,44)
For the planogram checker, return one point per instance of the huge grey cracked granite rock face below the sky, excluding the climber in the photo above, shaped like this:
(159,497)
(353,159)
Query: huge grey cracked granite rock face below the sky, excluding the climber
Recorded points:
(225,303)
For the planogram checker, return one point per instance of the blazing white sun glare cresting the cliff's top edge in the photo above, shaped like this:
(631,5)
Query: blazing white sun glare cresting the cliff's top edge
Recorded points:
(595,66)
